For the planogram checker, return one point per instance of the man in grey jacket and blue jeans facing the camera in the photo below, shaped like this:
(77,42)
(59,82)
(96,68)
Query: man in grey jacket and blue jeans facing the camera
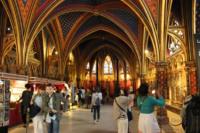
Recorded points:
(54,112)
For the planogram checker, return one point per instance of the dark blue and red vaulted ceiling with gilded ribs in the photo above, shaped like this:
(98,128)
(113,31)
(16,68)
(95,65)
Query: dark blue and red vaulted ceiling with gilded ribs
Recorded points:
(86,26)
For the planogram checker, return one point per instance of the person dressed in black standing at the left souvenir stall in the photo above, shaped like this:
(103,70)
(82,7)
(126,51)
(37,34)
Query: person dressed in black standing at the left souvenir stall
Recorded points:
(25,102)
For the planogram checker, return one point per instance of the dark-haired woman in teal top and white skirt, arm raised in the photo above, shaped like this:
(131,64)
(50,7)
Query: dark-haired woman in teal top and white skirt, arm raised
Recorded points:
(147,120)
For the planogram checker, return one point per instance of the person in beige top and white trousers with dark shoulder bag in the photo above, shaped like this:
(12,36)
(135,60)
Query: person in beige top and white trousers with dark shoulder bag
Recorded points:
(120,107)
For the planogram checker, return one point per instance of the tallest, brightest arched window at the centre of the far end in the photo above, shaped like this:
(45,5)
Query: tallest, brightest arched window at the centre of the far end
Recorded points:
(108,68)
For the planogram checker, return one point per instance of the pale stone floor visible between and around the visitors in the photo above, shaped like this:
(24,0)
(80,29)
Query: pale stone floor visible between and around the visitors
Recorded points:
(80,121)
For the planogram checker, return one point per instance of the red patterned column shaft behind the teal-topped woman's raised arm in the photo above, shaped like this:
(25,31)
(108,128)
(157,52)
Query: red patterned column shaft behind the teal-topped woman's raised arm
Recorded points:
(161,77)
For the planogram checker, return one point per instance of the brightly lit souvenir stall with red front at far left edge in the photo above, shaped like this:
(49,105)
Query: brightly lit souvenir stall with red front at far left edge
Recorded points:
(12,86)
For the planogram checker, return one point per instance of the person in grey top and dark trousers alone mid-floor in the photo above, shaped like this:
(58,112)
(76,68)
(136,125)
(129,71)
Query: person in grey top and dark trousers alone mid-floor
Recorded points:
(96,103)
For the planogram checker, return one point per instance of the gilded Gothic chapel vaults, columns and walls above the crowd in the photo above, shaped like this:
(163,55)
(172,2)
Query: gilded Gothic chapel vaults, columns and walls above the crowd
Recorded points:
(104,42)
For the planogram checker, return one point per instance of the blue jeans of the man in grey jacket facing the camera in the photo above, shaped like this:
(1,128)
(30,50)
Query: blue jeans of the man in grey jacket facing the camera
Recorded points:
(54,126)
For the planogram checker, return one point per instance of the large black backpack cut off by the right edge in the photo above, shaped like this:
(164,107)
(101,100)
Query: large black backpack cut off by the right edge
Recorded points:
(192,116)
